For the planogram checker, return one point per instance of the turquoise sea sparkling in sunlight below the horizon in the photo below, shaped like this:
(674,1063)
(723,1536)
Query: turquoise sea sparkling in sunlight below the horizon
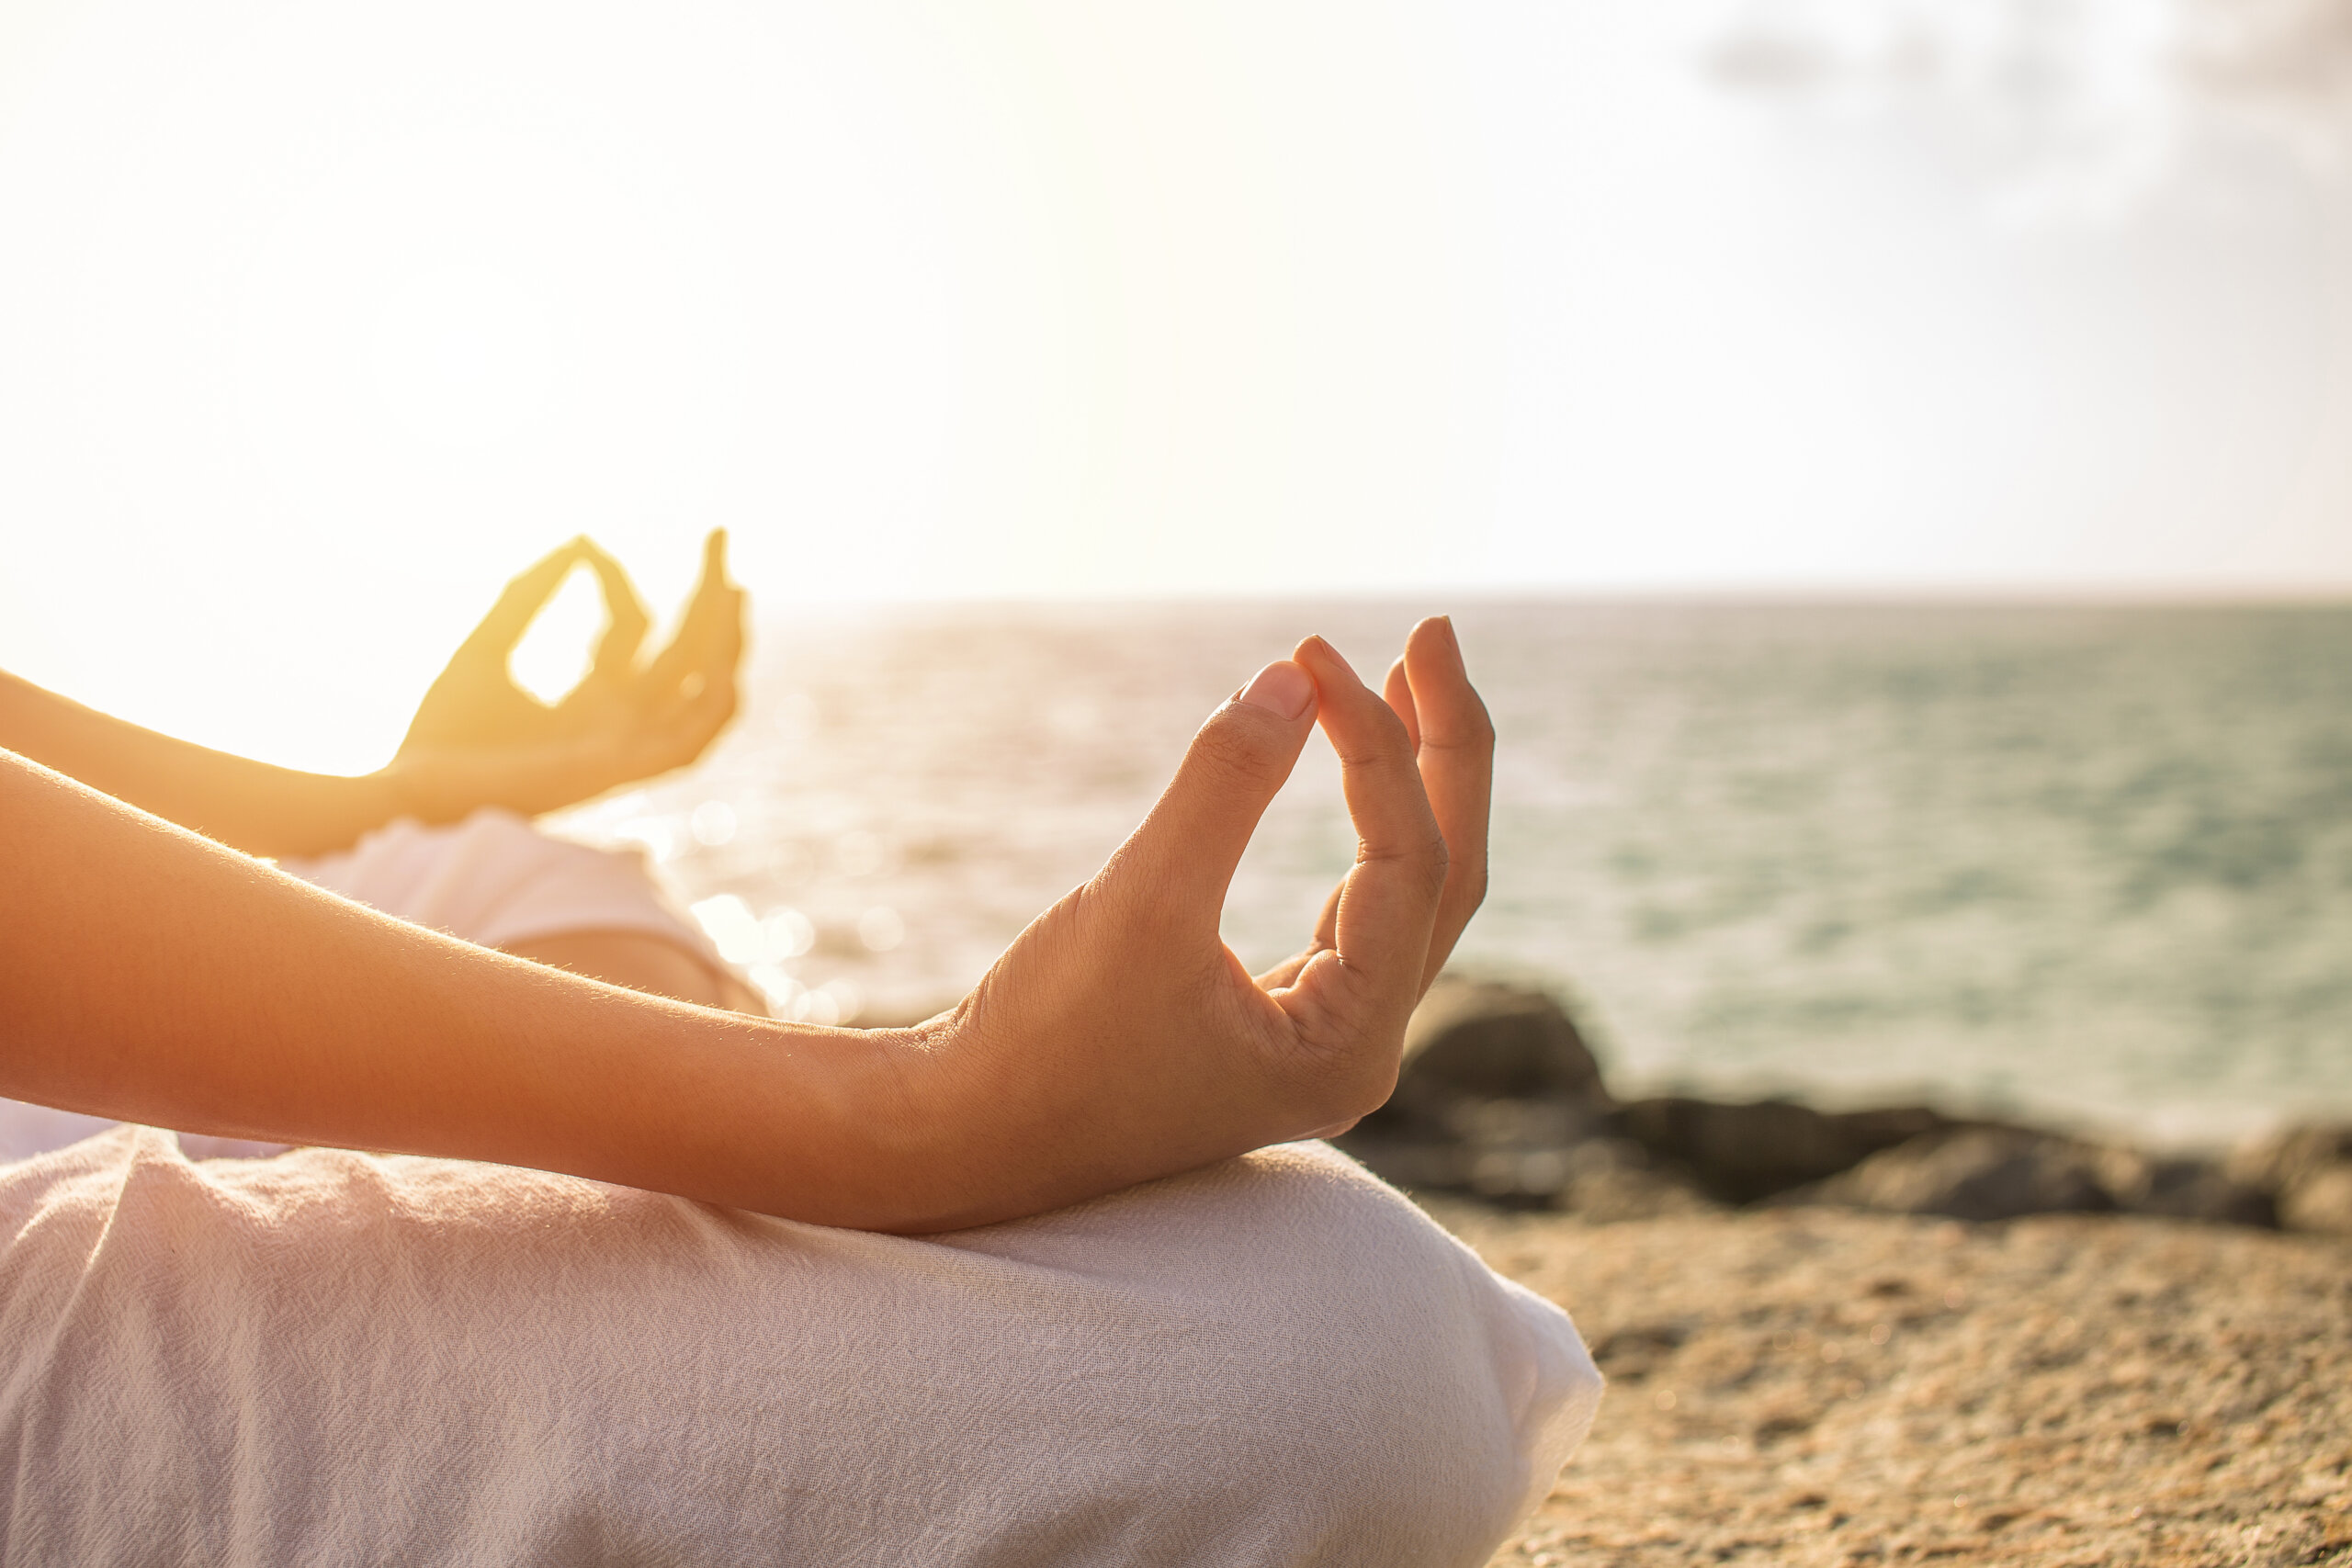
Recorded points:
(2085,864)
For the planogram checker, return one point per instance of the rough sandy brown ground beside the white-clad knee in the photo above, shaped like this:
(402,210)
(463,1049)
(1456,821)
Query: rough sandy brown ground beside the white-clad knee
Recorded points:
(1826,1388)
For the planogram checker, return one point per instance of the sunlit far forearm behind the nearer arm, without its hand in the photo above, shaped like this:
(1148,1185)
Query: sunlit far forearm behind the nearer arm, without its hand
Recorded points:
(234,800)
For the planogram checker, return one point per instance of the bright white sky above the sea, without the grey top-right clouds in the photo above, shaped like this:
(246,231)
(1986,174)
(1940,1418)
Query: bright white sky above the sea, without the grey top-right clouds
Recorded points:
(319,321)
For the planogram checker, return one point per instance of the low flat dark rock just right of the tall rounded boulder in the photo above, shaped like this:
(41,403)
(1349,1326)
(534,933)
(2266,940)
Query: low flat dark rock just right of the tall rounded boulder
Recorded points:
(1746,1153)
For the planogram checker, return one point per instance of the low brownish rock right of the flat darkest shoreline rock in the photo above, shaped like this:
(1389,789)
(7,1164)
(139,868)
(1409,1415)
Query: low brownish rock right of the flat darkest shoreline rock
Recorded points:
(1975,1174)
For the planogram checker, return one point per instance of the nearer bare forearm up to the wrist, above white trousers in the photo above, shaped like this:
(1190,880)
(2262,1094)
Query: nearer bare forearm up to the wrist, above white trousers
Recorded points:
(152,977)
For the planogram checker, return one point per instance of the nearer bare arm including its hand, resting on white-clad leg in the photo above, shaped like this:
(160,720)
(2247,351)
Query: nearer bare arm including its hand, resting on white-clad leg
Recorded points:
(156,977)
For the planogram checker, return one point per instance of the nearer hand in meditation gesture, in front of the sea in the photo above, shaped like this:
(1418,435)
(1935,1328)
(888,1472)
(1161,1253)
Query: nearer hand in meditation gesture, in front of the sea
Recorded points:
(1118,1038)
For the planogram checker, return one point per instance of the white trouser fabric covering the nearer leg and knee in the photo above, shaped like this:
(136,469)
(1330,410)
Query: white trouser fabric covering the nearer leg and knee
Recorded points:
(349,1360)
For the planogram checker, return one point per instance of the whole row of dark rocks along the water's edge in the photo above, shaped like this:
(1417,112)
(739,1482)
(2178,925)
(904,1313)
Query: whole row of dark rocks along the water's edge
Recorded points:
(1499,1097)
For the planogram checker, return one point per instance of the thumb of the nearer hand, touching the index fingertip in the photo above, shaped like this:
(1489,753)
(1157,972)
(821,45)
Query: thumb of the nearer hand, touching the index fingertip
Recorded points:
(1187,850)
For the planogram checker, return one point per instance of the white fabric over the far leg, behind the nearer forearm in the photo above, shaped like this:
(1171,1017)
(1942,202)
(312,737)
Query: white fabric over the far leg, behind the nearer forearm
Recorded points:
(490,880)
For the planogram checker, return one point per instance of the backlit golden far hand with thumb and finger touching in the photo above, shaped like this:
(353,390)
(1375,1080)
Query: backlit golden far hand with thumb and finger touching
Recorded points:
(479,739)
